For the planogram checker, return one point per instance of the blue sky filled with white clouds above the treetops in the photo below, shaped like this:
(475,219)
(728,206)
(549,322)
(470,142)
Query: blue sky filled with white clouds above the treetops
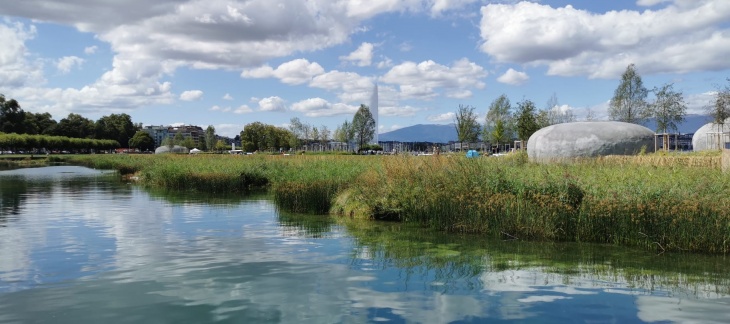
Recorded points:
(227,63)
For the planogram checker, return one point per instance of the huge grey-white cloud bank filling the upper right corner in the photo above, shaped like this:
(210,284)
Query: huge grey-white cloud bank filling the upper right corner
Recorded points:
(681,37)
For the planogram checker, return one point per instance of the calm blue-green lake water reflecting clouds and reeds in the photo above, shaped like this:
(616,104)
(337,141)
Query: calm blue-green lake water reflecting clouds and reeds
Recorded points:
(81,246)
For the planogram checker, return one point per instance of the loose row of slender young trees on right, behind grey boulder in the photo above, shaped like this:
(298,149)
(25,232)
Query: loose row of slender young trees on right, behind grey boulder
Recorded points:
(504,122)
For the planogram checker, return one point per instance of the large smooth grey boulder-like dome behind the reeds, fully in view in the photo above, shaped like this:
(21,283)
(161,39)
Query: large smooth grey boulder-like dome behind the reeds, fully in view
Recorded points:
(567,141)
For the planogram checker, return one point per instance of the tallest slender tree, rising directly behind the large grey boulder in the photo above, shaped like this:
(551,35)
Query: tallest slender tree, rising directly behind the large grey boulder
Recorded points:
(629,100)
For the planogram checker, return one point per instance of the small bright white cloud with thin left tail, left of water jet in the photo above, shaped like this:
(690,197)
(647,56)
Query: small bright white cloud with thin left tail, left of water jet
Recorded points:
(293,72)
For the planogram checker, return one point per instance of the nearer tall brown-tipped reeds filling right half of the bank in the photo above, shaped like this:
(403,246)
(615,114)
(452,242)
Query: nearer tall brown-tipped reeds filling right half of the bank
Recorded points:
(665,208)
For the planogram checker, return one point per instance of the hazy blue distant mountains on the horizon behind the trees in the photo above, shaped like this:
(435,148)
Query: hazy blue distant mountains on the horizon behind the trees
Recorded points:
(438,133)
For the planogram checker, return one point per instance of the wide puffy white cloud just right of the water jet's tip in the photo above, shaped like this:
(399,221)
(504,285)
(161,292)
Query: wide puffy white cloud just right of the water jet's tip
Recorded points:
(421,80)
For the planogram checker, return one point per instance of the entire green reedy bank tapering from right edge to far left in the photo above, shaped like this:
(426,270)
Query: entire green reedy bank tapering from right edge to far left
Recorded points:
(660,203)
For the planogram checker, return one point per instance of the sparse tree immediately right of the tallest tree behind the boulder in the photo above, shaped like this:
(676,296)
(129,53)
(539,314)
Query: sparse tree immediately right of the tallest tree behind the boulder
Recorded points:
(668,108)
